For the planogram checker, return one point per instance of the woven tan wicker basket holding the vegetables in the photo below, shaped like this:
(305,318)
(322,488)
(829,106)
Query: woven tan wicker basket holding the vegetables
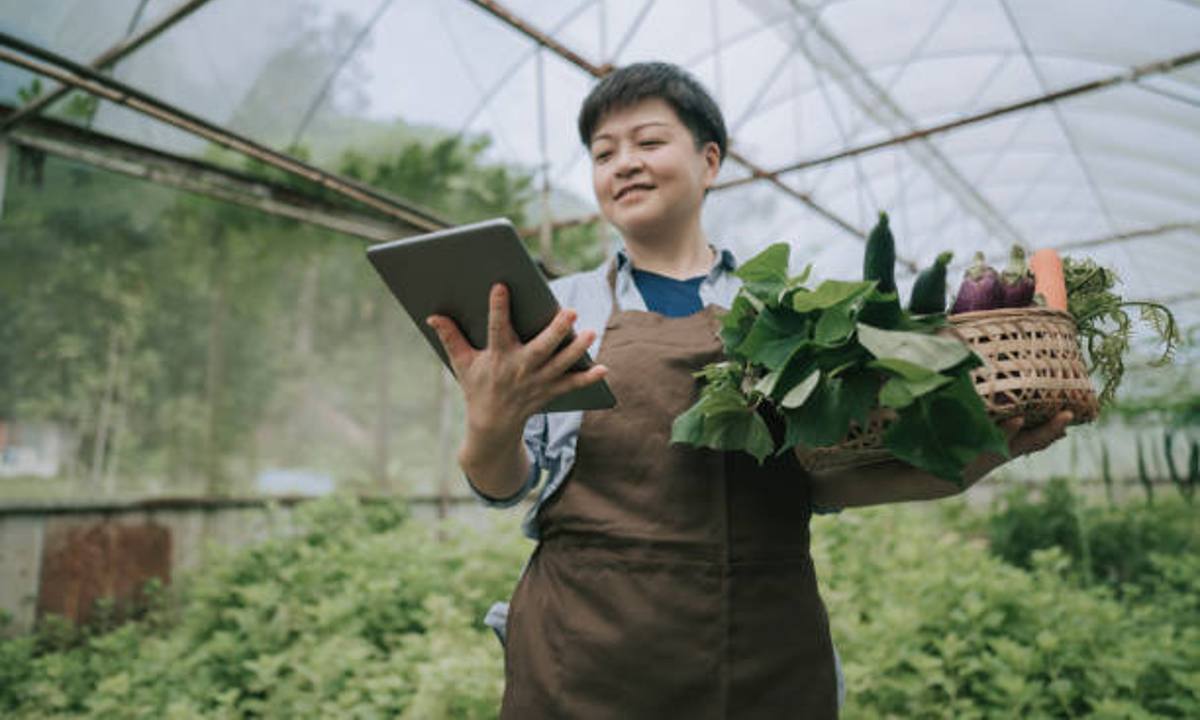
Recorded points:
(1033,368)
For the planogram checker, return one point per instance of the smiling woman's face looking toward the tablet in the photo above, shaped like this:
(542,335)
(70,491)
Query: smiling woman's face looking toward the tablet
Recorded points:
(646,170)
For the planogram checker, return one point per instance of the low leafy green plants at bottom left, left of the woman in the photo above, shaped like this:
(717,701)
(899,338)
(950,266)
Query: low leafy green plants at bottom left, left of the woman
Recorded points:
(359,615)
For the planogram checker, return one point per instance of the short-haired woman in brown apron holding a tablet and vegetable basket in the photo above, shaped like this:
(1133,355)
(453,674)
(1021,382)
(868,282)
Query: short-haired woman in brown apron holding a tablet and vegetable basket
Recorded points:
(669,581)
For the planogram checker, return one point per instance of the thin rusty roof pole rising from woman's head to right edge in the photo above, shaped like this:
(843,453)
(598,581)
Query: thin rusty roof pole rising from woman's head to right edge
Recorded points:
(1150,69)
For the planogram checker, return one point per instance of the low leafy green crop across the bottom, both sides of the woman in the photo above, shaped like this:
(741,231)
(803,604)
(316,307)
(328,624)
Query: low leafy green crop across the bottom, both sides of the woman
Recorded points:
(363,614)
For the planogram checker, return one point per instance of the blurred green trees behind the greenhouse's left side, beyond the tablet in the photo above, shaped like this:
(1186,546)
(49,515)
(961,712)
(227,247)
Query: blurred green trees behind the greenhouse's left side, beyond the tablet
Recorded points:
(185,344)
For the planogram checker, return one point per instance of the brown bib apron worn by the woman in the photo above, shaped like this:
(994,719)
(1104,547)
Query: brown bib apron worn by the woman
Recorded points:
(670,581)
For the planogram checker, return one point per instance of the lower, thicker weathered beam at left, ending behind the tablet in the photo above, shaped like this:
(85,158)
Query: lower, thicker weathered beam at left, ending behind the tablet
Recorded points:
(115,155)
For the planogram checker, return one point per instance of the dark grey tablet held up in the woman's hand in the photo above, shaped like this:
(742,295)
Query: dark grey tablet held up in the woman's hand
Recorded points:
(452,273)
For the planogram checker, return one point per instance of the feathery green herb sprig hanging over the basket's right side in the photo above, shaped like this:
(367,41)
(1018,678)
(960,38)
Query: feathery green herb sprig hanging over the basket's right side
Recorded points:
(1106,327)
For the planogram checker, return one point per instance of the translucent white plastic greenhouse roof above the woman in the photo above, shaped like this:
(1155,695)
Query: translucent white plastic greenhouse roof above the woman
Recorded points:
(1114,170)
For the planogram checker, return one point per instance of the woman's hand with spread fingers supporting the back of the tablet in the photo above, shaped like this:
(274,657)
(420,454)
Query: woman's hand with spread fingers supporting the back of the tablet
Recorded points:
(508,382)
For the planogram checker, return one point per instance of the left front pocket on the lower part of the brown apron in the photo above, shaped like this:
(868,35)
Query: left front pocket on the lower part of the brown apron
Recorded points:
(638,639)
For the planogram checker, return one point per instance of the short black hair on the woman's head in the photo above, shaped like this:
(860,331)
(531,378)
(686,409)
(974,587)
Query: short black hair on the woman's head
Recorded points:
(644,81)
